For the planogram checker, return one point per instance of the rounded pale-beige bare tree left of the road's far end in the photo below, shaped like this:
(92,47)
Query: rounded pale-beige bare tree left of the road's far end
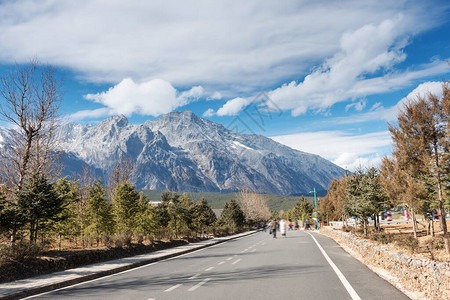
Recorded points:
(254,206)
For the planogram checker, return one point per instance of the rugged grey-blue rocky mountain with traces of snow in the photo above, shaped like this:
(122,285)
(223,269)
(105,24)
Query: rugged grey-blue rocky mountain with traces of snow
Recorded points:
(180,151)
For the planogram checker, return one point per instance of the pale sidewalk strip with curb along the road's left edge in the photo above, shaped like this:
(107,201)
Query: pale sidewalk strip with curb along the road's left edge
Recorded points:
(45,283)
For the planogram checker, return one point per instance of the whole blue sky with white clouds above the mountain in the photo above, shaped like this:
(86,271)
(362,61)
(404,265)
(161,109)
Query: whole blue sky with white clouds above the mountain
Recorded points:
(326,75)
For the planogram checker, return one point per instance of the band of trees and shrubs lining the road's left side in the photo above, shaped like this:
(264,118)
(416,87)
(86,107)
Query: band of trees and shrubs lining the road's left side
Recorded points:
(49,223)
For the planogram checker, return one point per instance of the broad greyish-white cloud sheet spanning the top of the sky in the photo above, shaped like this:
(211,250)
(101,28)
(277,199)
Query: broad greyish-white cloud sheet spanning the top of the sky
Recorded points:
(192,42)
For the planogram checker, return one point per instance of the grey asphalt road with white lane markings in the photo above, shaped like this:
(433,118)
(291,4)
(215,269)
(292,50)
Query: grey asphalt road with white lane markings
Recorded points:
(254,267)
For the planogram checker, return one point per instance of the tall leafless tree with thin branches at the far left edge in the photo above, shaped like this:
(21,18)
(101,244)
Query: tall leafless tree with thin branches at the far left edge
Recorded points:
(31,99)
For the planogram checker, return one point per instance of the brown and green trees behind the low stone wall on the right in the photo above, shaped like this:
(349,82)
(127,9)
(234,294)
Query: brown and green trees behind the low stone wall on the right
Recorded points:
(416,179)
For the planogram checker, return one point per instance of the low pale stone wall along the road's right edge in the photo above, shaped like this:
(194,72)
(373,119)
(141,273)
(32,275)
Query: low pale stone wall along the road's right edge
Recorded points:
(418,276)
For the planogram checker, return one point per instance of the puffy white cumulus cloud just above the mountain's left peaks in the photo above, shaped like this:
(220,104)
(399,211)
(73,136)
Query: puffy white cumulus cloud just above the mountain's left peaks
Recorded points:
(154,97)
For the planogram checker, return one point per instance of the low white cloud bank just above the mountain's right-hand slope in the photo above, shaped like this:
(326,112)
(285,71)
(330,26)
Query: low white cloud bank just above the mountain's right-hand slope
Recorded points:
(346,150)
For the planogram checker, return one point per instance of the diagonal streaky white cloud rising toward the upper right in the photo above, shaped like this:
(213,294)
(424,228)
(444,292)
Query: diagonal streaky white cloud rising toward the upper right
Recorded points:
(364,51)
